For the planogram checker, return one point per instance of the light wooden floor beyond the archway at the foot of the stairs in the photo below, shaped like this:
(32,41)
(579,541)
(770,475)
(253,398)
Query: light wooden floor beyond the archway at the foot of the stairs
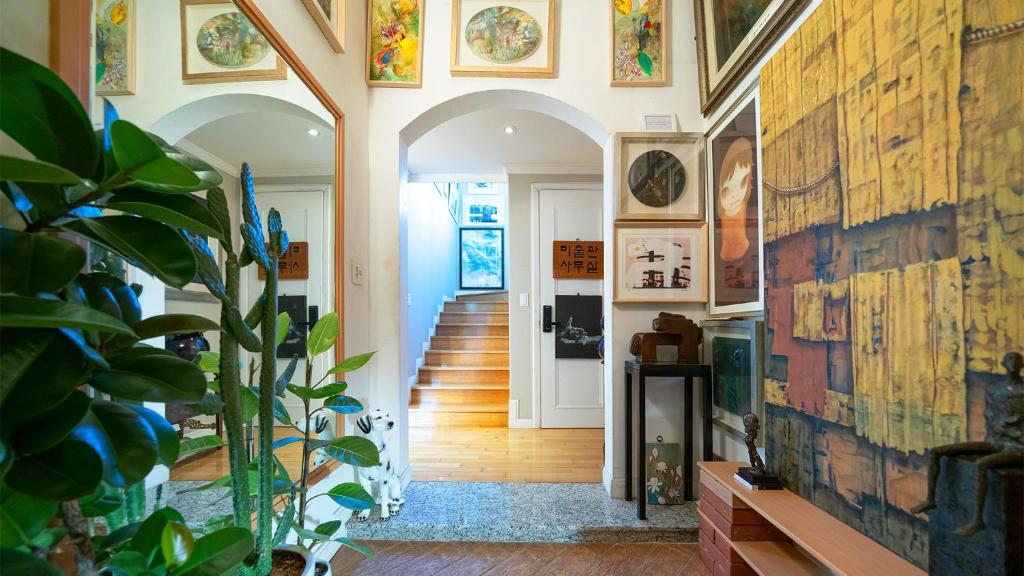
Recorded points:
(493,455)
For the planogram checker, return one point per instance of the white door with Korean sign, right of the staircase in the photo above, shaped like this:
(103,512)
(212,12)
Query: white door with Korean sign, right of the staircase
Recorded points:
(572,390)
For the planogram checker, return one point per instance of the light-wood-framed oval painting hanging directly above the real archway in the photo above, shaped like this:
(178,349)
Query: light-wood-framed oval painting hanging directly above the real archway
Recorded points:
(504,39)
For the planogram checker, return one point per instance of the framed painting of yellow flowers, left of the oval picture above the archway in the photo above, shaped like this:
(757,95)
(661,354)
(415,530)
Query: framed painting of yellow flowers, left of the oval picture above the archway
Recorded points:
(395,44)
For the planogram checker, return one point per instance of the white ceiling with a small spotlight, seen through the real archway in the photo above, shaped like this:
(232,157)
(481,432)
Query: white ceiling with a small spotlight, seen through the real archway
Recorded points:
(477,144)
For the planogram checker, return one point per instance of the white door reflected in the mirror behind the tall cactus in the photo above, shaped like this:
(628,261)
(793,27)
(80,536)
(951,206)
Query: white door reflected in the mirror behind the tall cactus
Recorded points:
(304,214)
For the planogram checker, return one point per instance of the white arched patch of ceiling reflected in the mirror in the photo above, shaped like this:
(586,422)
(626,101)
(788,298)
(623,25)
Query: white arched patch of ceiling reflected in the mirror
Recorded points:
(271,143)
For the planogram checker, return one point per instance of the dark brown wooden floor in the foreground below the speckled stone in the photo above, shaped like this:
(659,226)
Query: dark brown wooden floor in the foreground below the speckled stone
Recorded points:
(498,559)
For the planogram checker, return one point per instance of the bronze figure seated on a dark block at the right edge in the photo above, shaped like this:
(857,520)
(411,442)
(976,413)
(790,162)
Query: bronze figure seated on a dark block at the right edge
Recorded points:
(1004,444)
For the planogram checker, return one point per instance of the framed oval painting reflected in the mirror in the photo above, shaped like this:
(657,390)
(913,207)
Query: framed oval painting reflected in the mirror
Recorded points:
(221,45)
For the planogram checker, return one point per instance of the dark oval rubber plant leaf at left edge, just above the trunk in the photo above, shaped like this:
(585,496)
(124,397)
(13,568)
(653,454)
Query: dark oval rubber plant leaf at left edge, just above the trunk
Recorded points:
(70,470)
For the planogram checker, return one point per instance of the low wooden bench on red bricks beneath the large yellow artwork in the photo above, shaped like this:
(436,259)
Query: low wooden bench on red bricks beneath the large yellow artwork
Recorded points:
(778,532)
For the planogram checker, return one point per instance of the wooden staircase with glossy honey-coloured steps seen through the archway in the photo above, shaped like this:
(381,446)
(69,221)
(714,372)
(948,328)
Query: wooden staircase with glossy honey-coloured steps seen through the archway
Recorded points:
(465,378)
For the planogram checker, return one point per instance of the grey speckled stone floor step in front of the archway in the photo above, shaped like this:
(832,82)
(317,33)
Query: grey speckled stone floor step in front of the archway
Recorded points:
(525,513)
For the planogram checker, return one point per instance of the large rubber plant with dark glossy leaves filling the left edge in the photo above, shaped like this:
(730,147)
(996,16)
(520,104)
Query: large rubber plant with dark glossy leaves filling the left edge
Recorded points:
(76,441)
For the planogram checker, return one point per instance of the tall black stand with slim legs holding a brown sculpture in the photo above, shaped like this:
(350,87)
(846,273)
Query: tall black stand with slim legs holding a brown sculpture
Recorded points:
(642,372)
